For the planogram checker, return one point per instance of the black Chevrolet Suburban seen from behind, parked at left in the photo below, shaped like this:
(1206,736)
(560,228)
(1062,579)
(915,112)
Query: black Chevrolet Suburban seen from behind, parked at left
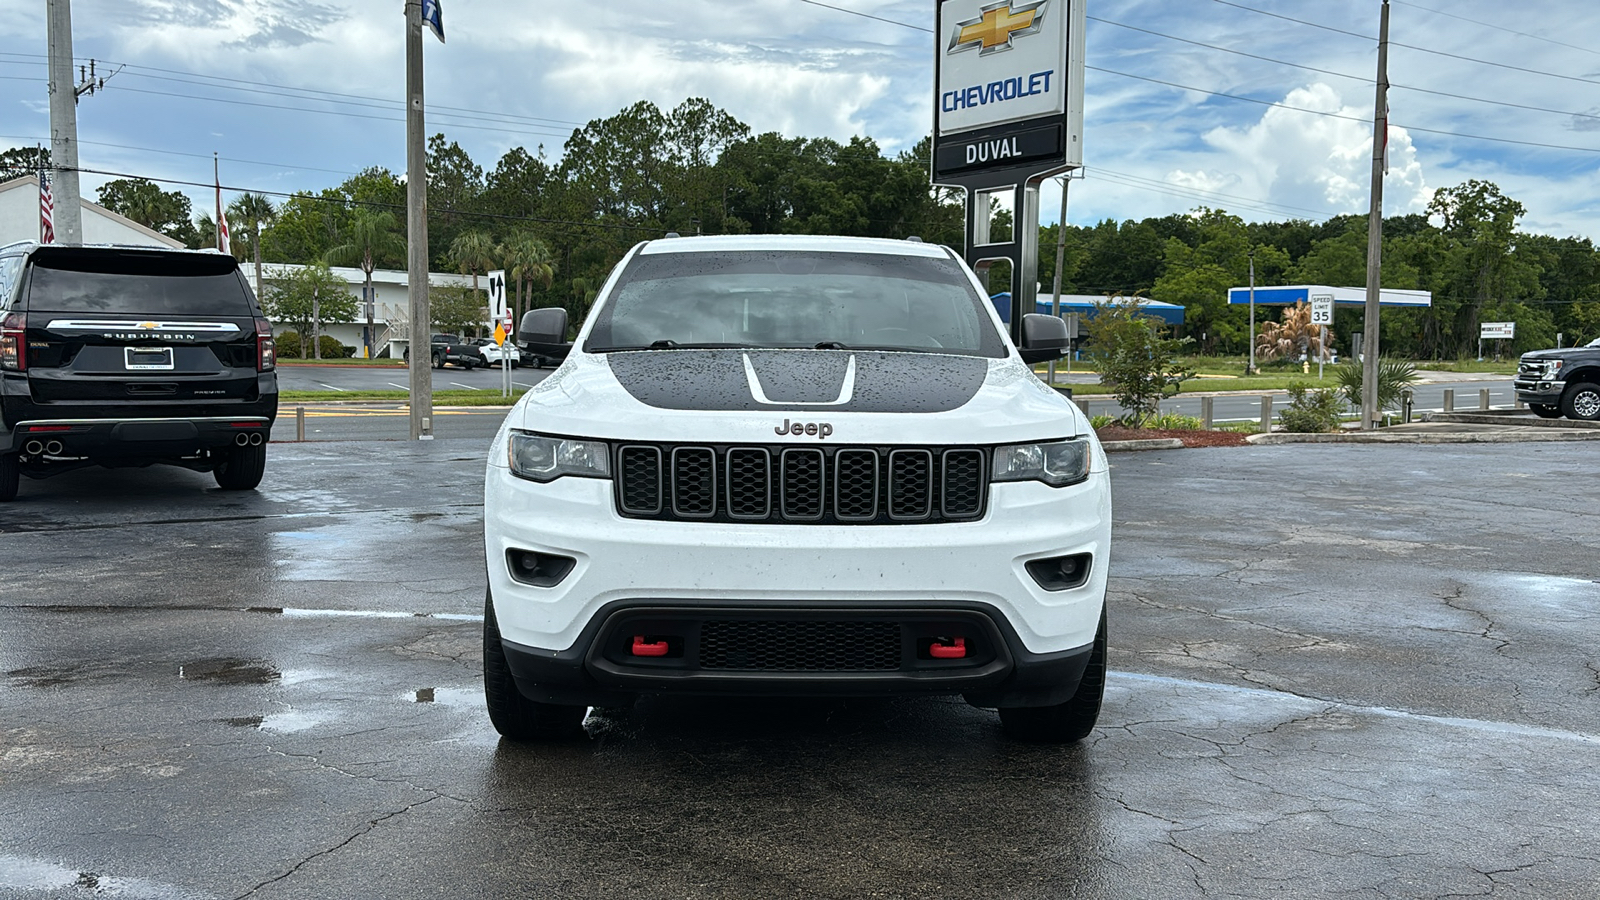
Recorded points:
(127,356)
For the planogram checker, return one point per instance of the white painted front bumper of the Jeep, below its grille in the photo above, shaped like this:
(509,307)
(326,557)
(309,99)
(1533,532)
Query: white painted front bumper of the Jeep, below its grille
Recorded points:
(975,566)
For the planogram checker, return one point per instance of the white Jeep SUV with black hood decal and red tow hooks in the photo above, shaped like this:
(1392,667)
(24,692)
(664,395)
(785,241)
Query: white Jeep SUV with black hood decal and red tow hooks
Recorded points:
(794,467)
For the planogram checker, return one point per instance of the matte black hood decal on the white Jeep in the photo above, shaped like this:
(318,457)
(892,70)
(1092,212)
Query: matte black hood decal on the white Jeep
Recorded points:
(858,382)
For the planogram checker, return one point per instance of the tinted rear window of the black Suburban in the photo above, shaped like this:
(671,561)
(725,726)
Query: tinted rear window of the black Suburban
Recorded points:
(138,284)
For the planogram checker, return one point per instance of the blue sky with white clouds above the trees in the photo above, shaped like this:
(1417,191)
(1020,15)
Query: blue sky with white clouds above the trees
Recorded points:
(1257,106)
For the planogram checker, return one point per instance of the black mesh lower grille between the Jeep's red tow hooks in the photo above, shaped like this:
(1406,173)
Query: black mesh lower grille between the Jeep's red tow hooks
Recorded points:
(801,646)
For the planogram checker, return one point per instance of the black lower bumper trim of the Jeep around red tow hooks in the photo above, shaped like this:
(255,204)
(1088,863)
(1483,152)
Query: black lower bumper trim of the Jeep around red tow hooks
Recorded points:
(598,670)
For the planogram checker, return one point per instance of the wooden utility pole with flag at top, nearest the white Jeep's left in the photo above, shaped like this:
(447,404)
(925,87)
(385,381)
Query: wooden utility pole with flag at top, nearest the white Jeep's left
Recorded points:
(417,228)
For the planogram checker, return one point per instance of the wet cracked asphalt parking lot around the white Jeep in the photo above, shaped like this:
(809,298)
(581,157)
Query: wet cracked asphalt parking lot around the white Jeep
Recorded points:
(1338,670)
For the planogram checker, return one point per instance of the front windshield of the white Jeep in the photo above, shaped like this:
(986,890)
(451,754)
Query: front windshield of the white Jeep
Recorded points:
(796,300)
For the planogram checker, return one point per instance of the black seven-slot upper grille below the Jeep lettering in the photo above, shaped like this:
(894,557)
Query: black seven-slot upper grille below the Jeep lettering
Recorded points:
(834,486)
